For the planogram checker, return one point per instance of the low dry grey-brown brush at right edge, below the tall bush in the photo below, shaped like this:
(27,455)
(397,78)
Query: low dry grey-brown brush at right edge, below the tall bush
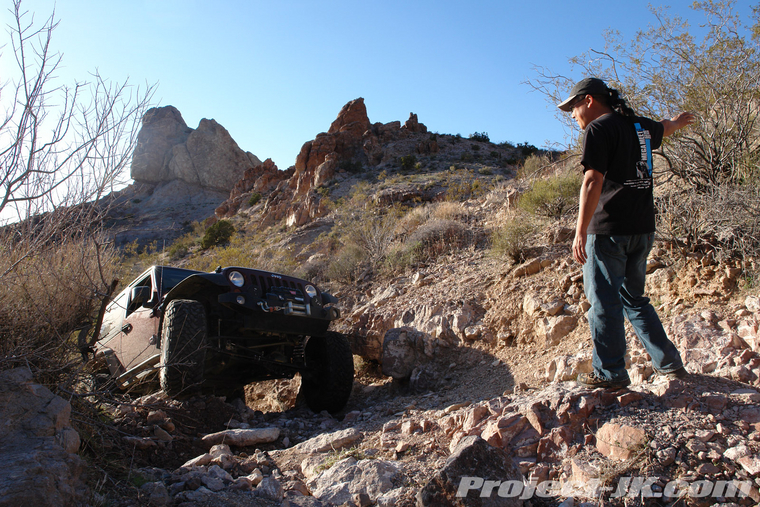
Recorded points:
(725,220)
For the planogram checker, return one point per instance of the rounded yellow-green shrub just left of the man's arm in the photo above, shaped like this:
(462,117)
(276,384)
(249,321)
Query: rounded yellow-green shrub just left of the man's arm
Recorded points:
(552,197)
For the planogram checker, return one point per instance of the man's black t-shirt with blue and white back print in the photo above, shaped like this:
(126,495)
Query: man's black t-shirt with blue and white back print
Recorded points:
(616,146)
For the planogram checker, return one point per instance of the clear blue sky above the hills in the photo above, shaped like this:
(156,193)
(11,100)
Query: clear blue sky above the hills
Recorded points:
(275,73)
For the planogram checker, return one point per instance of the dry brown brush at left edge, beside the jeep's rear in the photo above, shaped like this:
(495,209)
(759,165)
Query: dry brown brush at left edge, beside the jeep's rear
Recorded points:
(46,294)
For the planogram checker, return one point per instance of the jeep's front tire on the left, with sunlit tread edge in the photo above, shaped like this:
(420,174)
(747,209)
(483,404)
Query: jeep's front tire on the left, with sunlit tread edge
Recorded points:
(183,341)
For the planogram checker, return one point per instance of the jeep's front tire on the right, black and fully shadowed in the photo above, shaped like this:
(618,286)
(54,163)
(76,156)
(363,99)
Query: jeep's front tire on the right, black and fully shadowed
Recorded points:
(329,375)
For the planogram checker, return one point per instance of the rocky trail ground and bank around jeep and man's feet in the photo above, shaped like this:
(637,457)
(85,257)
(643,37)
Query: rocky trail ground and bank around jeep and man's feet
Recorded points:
(513,390)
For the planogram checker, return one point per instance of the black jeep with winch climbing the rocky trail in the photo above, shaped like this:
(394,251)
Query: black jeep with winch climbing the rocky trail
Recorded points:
(216,332)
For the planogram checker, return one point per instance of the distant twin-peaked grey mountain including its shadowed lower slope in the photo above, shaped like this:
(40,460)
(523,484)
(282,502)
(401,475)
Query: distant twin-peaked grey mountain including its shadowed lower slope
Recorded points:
(181,175)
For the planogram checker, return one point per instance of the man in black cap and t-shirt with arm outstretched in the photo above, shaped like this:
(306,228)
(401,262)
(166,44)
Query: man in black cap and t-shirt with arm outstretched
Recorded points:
(615,229)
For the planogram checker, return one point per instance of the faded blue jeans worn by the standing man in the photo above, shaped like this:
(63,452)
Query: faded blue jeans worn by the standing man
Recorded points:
(613,280)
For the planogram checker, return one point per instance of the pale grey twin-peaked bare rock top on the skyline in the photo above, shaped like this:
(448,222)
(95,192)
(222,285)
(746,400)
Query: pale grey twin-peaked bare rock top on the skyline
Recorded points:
(167,149)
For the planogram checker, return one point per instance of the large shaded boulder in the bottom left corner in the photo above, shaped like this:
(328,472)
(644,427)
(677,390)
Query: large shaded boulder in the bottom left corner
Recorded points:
(38,464)
